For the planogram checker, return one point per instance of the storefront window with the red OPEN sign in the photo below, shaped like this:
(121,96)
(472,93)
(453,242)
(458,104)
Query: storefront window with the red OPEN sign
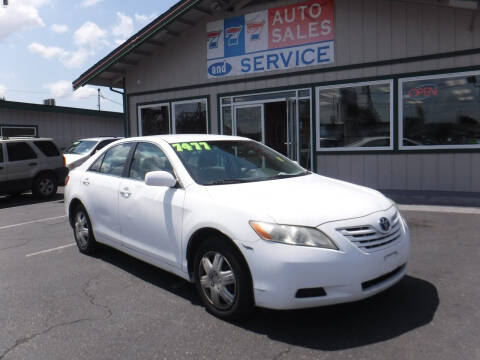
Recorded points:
(440,111)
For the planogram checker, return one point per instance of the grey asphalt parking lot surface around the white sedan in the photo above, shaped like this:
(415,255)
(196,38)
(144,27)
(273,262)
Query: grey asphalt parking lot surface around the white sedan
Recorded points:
(59,304)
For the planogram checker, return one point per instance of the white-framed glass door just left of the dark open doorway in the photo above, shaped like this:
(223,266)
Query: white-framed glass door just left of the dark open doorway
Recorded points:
(249,121)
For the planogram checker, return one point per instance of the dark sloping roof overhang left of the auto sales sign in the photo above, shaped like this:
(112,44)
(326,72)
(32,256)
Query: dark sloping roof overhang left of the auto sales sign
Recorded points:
(111,70)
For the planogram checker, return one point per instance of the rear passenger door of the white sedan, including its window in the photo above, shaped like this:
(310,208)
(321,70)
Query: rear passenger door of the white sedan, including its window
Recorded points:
(100,187)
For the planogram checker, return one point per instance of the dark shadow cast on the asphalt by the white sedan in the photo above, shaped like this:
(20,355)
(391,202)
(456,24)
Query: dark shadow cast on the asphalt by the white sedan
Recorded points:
(408,305)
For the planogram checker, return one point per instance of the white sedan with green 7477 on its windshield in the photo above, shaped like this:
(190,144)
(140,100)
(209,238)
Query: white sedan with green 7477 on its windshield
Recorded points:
(245,224)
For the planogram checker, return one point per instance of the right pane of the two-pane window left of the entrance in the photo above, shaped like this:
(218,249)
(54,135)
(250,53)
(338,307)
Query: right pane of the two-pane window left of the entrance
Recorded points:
(190,117)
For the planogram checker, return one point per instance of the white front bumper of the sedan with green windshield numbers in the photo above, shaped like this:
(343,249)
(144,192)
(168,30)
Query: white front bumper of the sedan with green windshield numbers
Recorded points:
(279,271)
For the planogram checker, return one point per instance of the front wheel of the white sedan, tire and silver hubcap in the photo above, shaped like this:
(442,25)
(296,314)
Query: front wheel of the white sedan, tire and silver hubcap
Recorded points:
(222,279)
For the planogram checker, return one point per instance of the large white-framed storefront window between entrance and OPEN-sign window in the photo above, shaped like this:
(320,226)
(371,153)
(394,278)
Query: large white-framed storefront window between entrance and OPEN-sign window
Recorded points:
(355,116)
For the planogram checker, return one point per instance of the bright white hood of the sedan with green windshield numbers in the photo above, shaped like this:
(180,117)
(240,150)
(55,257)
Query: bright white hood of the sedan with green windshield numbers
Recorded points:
(309,200)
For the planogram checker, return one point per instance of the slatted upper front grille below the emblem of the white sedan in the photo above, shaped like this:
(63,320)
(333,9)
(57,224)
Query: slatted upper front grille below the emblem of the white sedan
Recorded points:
(369,239)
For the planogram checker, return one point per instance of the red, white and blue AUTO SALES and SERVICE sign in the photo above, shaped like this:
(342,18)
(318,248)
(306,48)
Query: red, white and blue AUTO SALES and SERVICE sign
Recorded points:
(275,39)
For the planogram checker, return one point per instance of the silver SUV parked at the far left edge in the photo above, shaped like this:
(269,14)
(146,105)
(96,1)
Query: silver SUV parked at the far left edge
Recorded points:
(31,163)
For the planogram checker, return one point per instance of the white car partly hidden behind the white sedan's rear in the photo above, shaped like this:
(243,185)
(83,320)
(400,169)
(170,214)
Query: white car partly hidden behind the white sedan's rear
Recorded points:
(77,153)
